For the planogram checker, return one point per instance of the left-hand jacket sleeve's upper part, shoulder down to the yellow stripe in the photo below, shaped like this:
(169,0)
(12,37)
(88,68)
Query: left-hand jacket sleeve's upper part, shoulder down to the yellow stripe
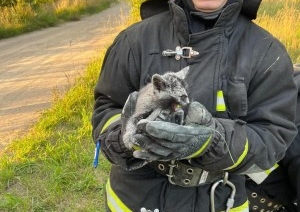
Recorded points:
(114,84)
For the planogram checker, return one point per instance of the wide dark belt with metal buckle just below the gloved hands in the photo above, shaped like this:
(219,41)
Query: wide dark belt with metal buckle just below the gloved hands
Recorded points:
(183,174)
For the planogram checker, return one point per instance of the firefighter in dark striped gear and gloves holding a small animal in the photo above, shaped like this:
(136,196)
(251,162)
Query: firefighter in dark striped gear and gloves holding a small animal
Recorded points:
(240,121)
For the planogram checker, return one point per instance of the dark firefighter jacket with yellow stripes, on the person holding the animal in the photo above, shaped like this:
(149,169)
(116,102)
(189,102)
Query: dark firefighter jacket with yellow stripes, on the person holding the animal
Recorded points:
(238,59)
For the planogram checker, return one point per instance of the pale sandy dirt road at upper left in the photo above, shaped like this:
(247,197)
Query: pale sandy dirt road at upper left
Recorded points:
(35,64)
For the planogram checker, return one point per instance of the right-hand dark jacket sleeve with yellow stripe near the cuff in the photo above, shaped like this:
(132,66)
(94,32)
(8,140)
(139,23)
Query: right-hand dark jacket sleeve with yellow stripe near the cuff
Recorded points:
(259,140)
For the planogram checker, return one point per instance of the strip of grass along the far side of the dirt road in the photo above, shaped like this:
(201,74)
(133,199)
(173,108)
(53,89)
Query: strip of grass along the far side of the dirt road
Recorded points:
(26,18)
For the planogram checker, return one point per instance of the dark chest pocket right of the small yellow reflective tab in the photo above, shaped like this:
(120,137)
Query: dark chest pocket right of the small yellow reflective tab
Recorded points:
(235,96)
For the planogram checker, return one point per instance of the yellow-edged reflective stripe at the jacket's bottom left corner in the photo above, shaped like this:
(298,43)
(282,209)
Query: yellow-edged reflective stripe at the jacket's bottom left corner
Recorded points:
(113,201)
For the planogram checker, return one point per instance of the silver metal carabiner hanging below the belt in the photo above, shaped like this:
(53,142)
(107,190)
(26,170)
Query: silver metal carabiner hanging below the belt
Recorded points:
(230,199)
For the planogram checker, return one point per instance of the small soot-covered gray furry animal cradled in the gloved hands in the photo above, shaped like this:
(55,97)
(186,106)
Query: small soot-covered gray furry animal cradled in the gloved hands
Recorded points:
(167,91)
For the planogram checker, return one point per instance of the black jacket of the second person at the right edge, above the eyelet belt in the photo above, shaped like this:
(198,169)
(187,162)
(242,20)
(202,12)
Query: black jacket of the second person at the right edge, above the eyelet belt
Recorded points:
(283,184)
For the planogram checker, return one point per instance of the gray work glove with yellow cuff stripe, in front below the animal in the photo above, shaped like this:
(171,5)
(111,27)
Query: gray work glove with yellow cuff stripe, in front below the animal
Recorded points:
(160,140)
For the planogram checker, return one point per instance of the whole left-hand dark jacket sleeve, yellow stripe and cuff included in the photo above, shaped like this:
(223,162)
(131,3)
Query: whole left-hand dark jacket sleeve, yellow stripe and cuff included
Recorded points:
(118,78)
